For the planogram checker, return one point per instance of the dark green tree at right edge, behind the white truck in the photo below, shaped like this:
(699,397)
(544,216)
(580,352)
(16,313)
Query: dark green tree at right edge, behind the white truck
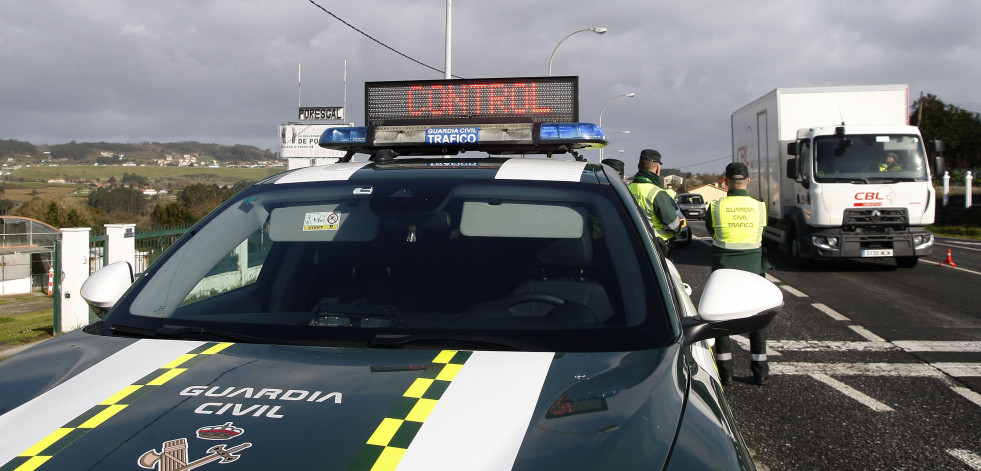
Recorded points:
(959,129)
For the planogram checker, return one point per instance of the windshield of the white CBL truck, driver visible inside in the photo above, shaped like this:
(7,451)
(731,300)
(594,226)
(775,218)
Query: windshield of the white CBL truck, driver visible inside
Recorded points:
(866,158)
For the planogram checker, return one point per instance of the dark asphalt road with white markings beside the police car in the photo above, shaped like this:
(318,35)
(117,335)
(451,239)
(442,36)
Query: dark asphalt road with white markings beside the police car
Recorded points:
(872,366)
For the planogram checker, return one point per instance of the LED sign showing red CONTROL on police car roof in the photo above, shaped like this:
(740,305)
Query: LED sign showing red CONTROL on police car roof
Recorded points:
(472,101)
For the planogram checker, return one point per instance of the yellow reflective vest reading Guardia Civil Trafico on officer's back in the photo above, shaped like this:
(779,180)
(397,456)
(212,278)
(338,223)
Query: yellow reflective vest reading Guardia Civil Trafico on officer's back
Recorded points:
(738,222)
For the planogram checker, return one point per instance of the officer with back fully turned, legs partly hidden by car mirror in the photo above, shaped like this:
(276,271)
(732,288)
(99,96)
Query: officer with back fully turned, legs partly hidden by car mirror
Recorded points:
(736,224)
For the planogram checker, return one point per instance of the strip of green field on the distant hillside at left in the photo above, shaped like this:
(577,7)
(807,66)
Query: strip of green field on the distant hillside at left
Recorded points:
(153,173)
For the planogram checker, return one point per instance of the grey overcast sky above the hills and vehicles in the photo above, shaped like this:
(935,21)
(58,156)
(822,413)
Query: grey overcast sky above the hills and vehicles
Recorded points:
(225,71)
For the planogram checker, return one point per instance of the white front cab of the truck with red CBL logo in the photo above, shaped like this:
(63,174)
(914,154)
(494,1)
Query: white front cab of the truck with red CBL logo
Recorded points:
(861,191)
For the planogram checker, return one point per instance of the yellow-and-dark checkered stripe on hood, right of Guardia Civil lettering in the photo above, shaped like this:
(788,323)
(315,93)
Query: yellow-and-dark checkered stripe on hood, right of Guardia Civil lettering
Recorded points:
(391,439)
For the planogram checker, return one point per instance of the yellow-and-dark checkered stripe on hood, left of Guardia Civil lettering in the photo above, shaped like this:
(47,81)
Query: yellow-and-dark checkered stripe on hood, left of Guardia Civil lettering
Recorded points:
(42,451)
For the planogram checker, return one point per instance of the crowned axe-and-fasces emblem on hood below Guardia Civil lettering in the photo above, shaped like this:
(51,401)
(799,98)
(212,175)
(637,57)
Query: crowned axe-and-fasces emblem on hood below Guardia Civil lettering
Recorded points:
(173,453)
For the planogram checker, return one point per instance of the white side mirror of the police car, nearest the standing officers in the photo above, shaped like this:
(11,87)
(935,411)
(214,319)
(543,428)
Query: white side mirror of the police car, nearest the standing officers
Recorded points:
(733,302)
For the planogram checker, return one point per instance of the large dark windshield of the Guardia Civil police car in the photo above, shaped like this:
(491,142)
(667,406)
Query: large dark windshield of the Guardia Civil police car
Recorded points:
(533,265)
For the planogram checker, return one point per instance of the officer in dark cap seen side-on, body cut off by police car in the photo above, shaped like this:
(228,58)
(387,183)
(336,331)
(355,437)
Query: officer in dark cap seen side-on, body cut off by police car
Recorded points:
(656,203)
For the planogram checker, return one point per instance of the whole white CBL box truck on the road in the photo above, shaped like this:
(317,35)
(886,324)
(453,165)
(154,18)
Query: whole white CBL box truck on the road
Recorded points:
(841,171)
